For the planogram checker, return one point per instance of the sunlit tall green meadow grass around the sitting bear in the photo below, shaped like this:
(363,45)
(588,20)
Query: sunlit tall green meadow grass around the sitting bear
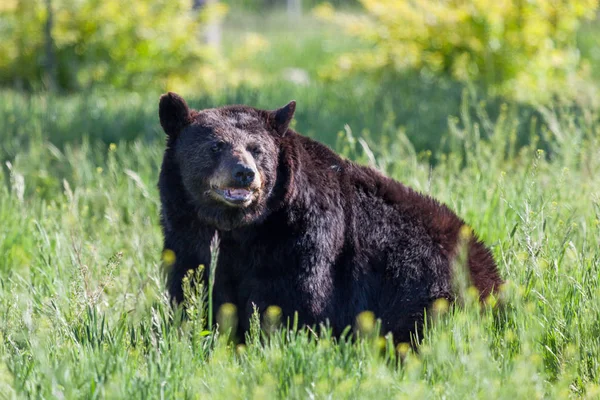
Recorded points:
(84,314)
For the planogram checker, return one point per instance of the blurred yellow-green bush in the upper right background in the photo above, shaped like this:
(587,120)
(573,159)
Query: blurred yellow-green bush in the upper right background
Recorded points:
(524,50)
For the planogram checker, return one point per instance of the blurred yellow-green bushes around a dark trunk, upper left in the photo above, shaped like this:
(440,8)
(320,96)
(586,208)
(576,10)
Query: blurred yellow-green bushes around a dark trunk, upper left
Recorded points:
(128,45)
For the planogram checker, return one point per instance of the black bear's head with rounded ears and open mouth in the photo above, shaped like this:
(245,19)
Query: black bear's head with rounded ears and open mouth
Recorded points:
(227,157)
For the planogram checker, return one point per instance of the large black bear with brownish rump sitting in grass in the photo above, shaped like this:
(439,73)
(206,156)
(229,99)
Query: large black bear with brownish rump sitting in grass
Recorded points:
(301,227)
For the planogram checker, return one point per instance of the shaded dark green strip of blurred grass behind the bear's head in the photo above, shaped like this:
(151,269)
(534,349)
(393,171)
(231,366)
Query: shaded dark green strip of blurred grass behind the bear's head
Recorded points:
(419,107)
